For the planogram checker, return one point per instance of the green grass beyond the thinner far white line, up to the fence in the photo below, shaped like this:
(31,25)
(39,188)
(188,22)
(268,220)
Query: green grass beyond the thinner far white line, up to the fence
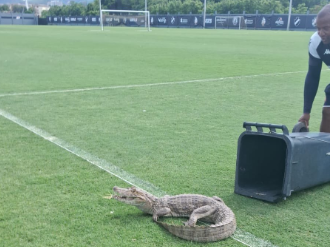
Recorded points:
(49,58)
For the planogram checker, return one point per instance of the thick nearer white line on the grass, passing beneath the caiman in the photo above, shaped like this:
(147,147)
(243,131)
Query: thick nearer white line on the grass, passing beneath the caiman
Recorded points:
(240,236)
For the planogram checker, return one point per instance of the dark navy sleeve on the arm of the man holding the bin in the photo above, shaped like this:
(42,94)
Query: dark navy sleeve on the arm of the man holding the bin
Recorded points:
(311,82)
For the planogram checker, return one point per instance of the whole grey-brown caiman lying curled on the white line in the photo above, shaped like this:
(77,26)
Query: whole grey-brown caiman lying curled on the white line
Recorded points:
(193,206)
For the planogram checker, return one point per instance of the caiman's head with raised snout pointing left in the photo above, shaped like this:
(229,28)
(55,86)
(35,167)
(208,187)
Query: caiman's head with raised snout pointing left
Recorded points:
(136,197)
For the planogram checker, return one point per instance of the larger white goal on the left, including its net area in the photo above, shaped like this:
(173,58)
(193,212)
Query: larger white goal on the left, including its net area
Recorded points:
(129,18)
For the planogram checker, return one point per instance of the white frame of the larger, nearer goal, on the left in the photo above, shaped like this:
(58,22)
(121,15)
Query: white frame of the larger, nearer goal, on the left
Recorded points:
(108,16)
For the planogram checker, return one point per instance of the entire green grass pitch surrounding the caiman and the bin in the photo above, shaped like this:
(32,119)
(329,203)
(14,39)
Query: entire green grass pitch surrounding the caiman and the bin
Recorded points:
(155,112)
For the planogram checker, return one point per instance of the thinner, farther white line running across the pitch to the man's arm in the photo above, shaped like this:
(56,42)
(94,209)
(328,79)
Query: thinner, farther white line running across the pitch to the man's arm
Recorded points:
(147,85)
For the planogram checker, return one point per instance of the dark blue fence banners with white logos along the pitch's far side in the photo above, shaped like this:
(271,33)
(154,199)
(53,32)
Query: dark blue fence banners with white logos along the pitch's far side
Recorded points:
(251,21)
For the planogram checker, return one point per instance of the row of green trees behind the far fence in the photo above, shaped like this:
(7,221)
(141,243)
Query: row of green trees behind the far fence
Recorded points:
(184,7)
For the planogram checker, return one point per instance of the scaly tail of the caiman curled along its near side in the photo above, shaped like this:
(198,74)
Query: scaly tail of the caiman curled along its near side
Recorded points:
(209,233)
